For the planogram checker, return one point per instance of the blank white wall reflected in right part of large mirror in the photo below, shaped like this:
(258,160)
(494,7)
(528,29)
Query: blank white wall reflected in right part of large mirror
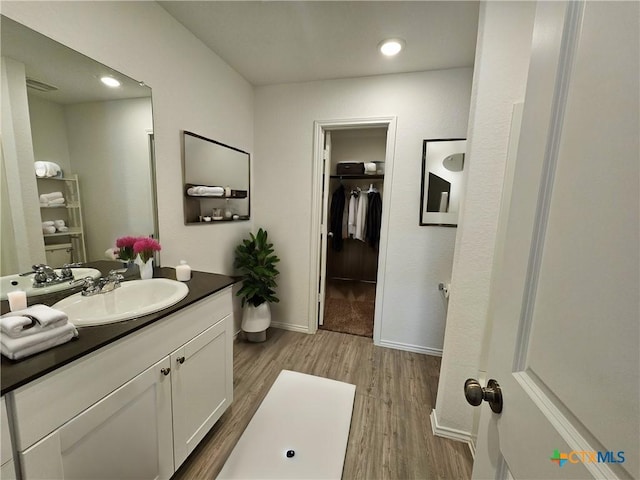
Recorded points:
(109,150)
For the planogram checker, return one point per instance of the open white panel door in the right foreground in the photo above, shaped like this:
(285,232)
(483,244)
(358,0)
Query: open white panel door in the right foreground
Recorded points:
(565,297)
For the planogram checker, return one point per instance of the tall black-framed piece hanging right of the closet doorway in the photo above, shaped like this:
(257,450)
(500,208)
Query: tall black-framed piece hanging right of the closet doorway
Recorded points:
(443,163)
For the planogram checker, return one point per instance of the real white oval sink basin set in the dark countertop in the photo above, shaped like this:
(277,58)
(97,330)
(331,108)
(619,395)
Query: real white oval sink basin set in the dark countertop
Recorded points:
(132,299)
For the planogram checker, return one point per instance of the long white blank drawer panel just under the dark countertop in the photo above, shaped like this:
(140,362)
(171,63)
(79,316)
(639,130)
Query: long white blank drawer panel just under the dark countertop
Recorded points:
(45,404)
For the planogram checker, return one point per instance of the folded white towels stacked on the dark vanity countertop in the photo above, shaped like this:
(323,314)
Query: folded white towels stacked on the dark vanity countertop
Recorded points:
(32,330)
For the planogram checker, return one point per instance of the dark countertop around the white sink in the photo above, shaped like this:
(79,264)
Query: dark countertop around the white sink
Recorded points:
(15,373)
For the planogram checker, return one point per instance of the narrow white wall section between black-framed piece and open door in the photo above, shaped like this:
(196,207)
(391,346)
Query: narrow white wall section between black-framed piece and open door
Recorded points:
(502,60)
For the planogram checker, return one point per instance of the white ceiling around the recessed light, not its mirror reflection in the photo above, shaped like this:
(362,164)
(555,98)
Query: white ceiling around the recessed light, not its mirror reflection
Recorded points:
(270,42)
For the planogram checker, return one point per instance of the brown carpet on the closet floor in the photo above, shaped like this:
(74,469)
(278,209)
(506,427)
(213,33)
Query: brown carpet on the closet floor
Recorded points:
(349,307)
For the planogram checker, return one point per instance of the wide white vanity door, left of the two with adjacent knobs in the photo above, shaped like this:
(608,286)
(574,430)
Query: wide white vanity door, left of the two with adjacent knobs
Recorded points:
(126,435)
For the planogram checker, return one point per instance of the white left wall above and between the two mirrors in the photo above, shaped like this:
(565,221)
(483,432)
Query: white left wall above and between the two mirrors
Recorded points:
(193,89)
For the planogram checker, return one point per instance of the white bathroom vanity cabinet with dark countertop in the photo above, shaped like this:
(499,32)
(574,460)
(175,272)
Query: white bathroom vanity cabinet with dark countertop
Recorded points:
(126,400)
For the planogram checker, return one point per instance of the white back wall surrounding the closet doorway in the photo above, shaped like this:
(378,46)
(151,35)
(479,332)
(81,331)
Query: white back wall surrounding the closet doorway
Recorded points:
(427,105)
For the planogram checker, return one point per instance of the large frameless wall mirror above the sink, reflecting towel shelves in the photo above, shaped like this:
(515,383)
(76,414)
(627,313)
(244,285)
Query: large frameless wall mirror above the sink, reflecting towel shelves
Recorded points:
(56,109)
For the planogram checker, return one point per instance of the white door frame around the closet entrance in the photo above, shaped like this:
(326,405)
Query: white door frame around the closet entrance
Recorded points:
(319,205)
